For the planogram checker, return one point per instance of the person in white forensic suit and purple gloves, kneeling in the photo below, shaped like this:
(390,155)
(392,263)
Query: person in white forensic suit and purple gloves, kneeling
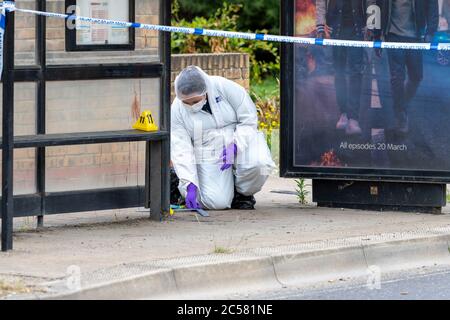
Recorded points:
(219,157)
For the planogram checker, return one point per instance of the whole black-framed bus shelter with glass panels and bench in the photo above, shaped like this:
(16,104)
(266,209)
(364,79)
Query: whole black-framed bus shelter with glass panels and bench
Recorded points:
(70,94)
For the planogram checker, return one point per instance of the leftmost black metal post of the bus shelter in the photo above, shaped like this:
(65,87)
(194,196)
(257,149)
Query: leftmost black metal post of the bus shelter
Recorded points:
(8,135)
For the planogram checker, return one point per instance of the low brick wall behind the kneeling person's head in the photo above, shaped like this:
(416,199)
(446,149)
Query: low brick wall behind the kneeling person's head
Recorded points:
(233,66)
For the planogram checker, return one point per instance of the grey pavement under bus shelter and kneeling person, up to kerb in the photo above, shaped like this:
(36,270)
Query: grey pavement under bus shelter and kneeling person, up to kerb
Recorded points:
(97,240)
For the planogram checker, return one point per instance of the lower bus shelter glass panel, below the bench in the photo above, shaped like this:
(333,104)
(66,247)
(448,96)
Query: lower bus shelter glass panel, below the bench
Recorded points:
(96,166)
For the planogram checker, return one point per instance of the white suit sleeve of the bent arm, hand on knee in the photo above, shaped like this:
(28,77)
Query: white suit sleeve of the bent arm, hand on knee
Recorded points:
(247,118)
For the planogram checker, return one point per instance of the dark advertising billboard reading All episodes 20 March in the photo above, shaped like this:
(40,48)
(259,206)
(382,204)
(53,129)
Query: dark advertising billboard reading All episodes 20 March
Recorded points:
(367,113)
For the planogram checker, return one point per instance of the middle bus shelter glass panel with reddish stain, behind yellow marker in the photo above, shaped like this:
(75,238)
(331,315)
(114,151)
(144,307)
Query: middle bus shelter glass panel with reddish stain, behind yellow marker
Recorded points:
(99,105)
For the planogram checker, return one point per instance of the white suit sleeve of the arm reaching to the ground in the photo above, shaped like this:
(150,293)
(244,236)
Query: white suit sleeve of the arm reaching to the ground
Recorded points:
(182,151)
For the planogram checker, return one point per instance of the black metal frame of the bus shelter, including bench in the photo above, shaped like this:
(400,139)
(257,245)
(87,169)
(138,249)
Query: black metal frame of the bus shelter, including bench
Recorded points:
(156,193)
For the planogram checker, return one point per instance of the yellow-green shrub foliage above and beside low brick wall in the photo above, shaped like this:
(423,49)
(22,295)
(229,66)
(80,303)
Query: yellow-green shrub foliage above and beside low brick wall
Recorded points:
(264,56)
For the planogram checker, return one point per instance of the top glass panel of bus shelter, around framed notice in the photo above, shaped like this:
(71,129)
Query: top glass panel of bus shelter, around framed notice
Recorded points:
(146,42)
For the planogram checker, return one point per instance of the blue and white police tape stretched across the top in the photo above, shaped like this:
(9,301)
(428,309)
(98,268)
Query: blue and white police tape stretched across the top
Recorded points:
(10,6)
